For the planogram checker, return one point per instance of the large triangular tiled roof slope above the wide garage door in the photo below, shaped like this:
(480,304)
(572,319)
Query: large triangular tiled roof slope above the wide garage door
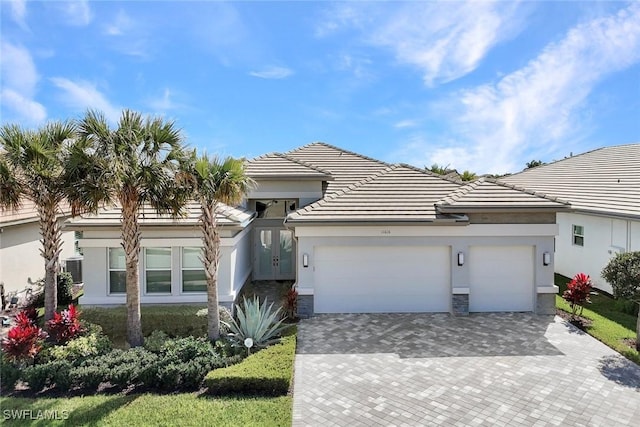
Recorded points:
(398,193)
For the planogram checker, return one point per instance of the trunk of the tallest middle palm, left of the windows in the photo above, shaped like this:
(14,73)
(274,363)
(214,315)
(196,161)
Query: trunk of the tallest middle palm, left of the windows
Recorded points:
(131,244)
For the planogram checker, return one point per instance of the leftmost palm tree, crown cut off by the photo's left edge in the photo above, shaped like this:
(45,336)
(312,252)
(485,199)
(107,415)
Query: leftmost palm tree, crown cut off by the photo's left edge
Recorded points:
(32,168)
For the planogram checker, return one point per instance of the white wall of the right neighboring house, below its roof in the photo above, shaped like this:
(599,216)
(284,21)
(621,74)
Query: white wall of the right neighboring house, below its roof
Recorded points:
(603,238)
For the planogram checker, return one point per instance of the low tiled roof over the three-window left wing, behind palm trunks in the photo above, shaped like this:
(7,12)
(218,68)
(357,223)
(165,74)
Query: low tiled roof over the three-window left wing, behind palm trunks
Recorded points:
(111,217)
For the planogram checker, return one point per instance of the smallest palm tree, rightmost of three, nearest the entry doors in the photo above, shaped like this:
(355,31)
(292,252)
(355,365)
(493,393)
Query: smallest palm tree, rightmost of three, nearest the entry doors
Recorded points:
(217,182)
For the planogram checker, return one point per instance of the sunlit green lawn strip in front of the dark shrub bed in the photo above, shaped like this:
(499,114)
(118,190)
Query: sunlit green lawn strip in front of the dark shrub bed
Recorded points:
(187,409)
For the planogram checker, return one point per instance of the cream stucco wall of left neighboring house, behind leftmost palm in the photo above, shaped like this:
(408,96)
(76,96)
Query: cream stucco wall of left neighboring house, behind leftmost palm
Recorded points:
(20,258)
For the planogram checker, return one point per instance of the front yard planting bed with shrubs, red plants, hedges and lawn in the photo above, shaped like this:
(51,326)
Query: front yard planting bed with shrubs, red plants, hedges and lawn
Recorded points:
(76,378)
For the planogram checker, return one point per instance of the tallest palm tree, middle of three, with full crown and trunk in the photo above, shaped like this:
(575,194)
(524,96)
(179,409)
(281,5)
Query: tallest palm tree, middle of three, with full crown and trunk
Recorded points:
(138,163)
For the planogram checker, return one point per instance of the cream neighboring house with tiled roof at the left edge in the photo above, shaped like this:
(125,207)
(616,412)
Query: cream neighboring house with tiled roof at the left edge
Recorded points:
(20,259)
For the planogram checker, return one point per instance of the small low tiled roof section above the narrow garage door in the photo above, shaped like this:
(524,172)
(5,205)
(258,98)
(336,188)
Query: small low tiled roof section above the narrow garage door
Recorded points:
(488,195)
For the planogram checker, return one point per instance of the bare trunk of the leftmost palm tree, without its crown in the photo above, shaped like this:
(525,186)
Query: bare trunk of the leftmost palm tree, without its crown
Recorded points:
(50,251)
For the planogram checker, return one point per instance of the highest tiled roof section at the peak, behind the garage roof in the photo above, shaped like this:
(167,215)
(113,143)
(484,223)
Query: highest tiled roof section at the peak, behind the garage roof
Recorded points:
(346,167)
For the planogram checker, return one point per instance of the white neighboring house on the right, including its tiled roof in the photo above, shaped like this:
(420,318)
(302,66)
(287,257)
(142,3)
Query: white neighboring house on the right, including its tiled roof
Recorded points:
(603,187)
